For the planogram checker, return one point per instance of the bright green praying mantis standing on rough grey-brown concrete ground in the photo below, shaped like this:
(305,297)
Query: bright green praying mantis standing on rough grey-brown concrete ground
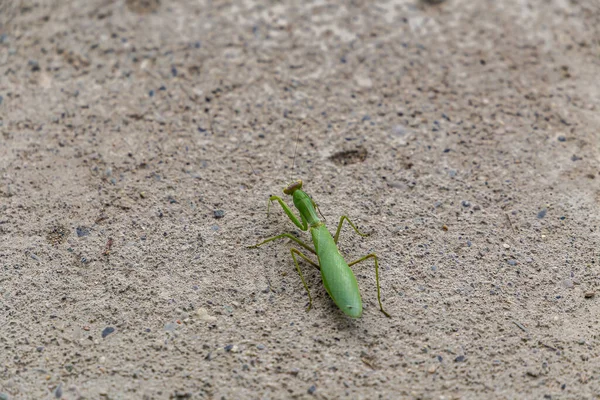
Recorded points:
(338,279)
